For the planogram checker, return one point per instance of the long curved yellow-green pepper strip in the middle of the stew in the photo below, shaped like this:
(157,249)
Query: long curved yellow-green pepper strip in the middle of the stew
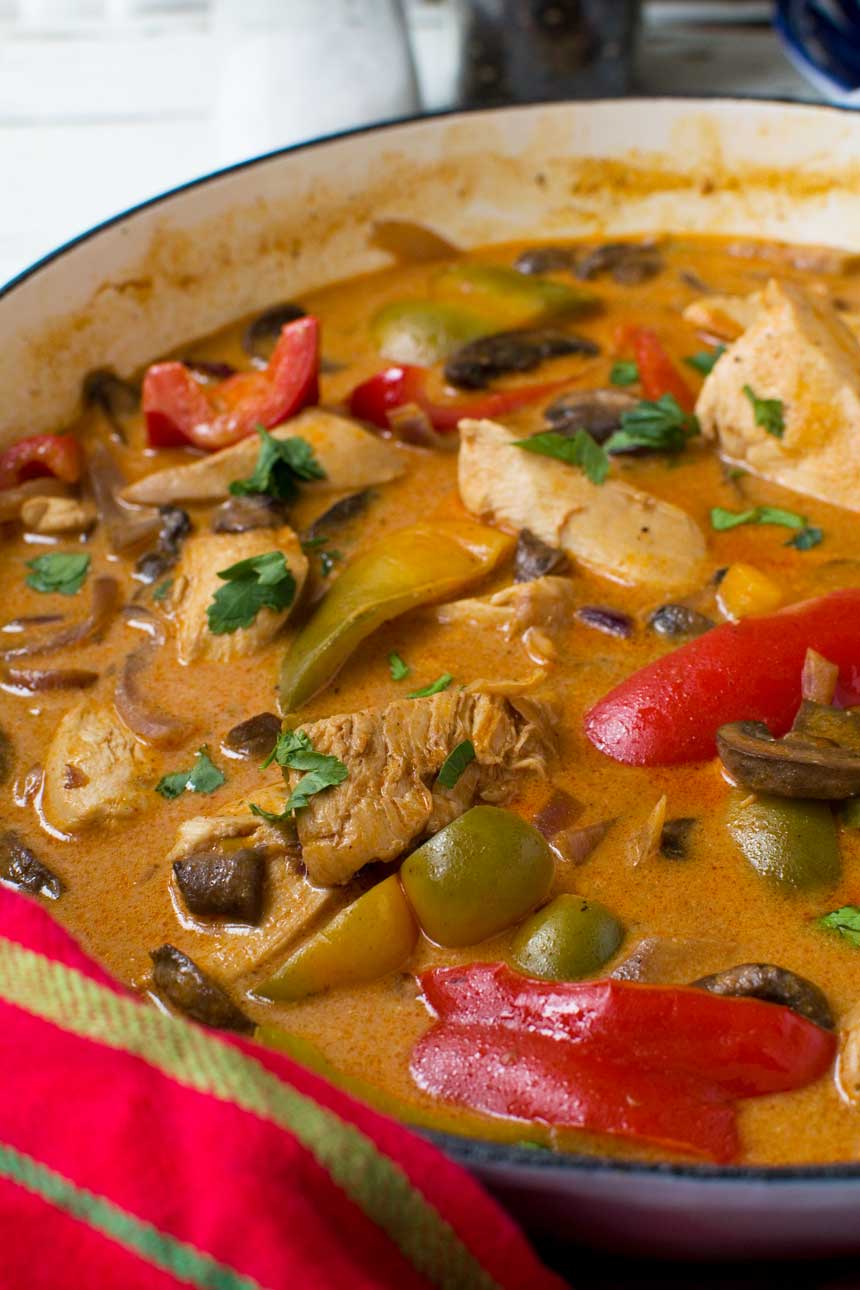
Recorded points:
(406,570)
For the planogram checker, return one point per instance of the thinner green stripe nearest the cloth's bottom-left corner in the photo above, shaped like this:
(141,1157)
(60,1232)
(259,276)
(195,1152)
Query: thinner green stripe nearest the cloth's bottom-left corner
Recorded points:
(182,1261)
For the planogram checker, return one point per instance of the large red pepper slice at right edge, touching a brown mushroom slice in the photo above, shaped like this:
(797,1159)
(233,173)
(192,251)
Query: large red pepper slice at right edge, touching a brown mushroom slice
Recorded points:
(670,711)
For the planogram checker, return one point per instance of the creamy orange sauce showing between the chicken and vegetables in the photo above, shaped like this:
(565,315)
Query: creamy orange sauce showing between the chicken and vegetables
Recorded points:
(118,897)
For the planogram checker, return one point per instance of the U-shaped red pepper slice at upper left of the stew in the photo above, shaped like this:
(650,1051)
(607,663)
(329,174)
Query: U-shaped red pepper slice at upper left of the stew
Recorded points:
(180,411)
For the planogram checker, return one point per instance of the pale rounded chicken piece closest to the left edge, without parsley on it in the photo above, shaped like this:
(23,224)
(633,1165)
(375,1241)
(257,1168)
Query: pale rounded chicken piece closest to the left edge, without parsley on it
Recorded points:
(96,771)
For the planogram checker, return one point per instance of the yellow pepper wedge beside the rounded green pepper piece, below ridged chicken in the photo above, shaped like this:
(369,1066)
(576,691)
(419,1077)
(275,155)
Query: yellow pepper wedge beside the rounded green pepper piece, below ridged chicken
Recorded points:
(372,937)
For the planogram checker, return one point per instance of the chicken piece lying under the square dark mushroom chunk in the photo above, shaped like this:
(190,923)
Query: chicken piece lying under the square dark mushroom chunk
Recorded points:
(292,908)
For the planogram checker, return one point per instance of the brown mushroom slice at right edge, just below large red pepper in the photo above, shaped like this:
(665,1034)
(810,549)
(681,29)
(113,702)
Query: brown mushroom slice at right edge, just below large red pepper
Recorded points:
(795,767)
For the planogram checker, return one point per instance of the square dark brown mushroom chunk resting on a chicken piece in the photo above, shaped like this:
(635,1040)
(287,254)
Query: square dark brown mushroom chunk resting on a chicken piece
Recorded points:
(225,886)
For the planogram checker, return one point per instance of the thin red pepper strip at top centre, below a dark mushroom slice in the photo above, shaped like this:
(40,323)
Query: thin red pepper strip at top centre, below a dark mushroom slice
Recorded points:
(394,388)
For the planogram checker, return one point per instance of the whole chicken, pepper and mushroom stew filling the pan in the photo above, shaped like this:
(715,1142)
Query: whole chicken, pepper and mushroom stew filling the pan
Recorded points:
(453,679)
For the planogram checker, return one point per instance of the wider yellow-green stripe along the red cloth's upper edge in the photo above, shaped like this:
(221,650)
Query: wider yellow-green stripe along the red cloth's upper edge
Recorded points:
(191,1057)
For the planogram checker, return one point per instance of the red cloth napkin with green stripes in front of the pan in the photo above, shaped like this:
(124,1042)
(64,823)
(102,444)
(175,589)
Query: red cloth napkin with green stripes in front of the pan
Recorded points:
(144,1153)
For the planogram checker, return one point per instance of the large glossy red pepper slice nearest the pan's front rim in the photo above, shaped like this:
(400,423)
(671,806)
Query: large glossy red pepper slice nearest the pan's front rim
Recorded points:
(645,1062)
